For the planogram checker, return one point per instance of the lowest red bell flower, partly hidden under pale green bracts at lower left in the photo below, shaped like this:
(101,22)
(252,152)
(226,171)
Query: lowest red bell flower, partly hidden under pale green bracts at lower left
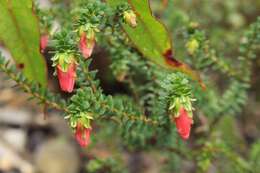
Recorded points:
(82,135)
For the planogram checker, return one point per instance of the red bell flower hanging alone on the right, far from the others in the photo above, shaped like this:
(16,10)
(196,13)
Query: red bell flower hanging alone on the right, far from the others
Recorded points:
(183,123)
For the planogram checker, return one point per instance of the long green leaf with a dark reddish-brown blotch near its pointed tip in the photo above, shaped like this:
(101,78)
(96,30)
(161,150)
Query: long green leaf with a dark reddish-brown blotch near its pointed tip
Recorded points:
(151,37)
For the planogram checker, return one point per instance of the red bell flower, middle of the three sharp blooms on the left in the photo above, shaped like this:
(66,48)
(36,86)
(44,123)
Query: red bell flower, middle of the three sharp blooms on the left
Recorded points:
(67,78)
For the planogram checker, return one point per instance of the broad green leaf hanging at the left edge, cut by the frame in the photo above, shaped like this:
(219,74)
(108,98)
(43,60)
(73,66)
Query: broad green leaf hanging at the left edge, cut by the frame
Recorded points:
(19,32)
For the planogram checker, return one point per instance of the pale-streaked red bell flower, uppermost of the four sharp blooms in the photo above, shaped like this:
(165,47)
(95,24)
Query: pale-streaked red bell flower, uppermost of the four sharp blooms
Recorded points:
(86,45)
